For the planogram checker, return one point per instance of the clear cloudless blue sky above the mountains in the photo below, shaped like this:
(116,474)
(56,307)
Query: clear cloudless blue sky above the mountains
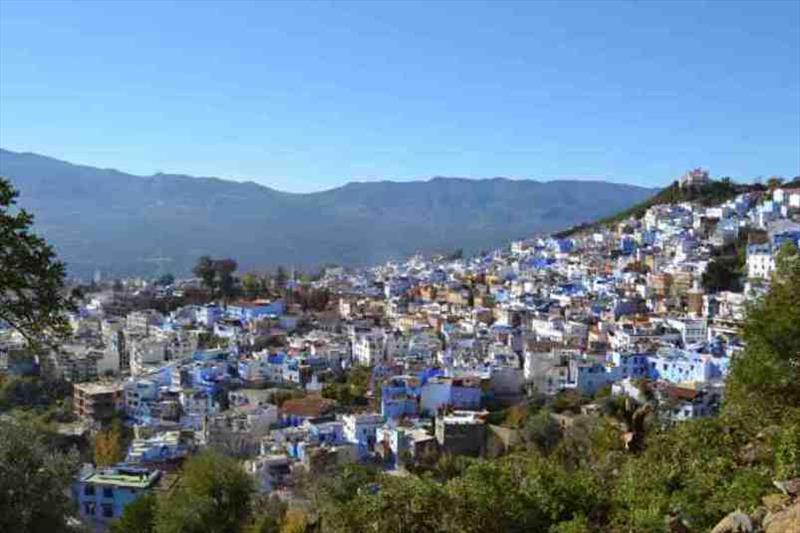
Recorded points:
(304,96)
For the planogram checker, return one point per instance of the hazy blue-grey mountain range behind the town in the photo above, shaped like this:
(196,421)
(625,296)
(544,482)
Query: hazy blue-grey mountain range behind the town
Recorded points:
(123,224)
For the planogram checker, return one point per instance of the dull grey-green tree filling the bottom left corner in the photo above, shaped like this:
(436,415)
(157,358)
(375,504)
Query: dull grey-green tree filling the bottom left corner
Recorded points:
(34,480)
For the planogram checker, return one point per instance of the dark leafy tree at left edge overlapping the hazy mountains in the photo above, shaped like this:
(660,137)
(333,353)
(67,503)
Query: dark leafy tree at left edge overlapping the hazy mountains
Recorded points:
(32,295)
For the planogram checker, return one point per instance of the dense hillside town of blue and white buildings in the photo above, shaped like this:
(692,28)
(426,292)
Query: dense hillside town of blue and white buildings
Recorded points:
(393,364)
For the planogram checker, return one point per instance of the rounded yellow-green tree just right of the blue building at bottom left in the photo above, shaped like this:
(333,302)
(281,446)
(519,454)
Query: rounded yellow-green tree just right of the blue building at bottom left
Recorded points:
(213,497)
